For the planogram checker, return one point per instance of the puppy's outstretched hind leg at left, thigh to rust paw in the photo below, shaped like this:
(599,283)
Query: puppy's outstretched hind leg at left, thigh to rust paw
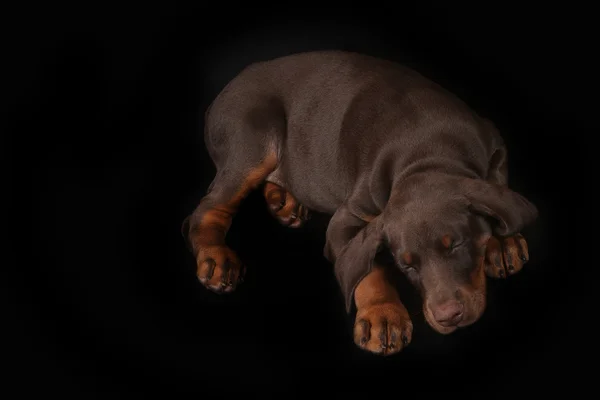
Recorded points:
(244,154)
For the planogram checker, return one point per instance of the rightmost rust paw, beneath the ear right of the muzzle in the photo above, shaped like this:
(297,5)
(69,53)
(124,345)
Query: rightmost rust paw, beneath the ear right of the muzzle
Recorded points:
(504,257)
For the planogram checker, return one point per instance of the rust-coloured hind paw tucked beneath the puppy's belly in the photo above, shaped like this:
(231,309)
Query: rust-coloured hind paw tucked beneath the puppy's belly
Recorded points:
(283,206)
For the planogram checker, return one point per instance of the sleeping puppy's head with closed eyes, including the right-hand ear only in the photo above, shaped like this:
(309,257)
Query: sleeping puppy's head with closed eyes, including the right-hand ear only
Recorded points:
(439,243)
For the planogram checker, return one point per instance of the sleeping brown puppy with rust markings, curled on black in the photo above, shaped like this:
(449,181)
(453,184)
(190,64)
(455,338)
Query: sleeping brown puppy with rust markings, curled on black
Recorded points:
(400,163)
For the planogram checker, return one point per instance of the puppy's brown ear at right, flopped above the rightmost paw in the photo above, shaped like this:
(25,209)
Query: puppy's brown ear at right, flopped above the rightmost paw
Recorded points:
(510,211)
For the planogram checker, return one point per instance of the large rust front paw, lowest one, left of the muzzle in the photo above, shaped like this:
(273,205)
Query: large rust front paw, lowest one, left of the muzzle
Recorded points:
(383,328)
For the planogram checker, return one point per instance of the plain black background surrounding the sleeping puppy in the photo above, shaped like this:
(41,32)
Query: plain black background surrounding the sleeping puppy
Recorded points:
(105,108)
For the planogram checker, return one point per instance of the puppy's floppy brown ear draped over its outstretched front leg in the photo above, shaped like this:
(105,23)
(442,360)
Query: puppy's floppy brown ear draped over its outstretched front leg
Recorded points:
(355,260)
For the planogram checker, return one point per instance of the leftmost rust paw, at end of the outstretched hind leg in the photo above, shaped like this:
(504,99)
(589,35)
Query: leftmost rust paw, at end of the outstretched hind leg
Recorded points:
(219,269)
